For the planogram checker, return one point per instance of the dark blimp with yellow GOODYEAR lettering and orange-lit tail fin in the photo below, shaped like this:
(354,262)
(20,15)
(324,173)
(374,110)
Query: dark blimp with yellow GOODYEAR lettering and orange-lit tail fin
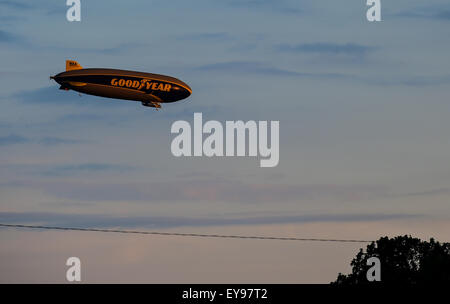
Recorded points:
(150,89)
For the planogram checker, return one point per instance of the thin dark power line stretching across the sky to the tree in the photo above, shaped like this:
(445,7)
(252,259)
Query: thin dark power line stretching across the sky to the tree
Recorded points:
(185,234)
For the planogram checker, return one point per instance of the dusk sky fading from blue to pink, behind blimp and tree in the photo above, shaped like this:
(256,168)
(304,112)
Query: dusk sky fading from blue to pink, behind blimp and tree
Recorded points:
(364,144)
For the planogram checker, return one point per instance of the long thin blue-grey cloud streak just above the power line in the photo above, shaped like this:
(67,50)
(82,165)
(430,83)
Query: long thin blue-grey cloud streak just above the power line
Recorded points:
(153,222)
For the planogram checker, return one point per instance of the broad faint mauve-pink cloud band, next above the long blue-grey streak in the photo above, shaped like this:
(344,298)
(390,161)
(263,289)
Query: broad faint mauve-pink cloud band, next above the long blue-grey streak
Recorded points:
(204,190)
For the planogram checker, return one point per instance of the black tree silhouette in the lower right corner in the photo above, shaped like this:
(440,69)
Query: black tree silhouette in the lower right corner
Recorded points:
(404,260)
